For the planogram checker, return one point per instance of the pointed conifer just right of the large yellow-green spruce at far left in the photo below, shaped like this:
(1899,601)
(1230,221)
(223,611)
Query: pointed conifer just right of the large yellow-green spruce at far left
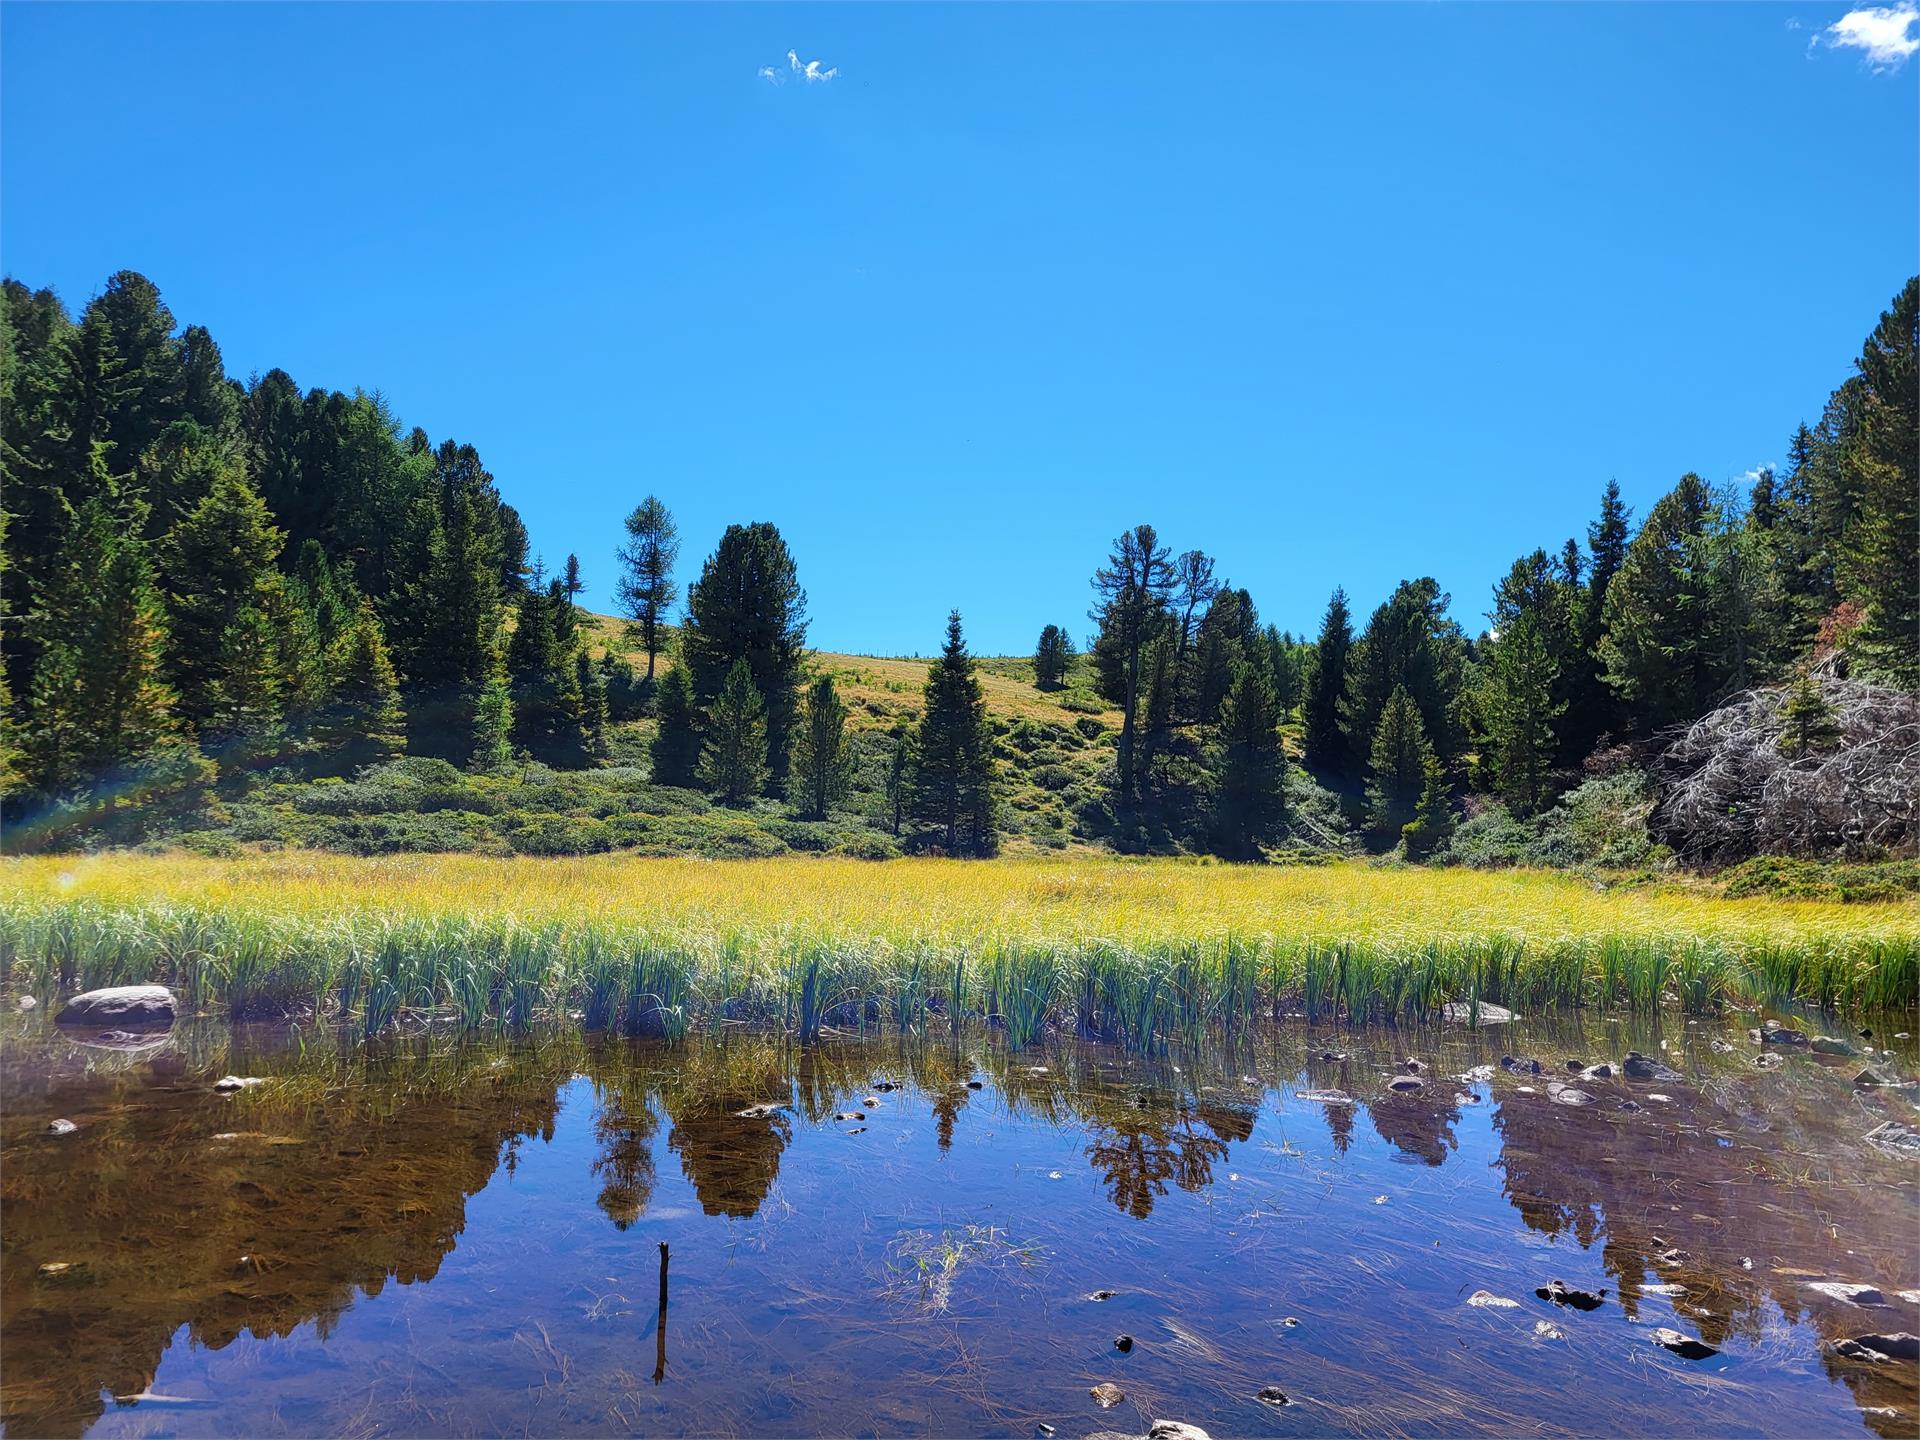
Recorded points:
(220,573)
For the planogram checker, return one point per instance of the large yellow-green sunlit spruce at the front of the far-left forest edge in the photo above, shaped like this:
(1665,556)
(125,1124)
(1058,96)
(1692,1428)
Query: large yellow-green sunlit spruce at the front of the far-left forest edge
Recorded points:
(99,700)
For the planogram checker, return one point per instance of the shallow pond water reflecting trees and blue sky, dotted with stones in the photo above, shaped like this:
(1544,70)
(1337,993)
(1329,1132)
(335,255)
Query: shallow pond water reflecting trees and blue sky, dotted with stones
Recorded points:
(444,1237)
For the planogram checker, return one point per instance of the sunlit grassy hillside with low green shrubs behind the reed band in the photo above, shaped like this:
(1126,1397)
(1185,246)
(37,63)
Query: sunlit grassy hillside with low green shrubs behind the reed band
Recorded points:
(1051,746)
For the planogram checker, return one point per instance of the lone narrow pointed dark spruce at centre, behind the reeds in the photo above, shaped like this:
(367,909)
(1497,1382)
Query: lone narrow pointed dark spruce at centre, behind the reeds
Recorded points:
(953,750)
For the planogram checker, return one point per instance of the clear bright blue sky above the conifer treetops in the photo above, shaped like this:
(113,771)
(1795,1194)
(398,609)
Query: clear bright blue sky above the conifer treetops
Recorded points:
(1335,293)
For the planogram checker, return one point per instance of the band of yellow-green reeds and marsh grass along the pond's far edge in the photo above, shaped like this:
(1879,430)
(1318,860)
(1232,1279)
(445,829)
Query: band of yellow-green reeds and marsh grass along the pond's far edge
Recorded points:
(1134,951)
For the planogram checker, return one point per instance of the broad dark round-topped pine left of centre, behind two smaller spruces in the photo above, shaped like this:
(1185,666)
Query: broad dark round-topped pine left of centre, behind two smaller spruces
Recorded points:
(748,606)
